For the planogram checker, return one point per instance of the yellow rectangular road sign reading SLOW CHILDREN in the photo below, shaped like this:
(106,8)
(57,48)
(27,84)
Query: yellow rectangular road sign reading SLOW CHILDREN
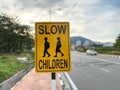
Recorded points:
(52,47)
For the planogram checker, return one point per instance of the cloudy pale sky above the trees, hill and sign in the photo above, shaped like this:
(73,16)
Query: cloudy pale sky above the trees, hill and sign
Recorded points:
(98,20)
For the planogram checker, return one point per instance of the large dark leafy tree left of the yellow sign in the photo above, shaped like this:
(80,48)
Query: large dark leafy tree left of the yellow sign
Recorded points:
(13,35)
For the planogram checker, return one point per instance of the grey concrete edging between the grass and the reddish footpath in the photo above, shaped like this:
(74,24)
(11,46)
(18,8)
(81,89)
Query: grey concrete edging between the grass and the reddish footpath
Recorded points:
(9,83)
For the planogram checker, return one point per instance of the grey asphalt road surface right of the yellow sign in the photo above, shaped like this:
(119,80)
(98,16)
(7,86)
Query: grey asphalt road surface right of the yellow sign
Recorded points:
(95,72)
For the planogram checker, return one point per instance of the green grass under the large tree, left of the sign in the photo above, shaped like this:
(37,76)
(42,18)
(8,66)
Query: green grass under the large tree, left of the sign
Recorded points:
(9,65)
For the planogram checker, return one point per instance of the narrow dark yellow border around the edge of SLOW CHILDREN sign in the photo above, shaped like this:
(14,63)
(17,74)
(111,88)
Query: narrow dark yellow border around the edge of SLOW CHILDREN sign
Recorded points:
(37,51)
